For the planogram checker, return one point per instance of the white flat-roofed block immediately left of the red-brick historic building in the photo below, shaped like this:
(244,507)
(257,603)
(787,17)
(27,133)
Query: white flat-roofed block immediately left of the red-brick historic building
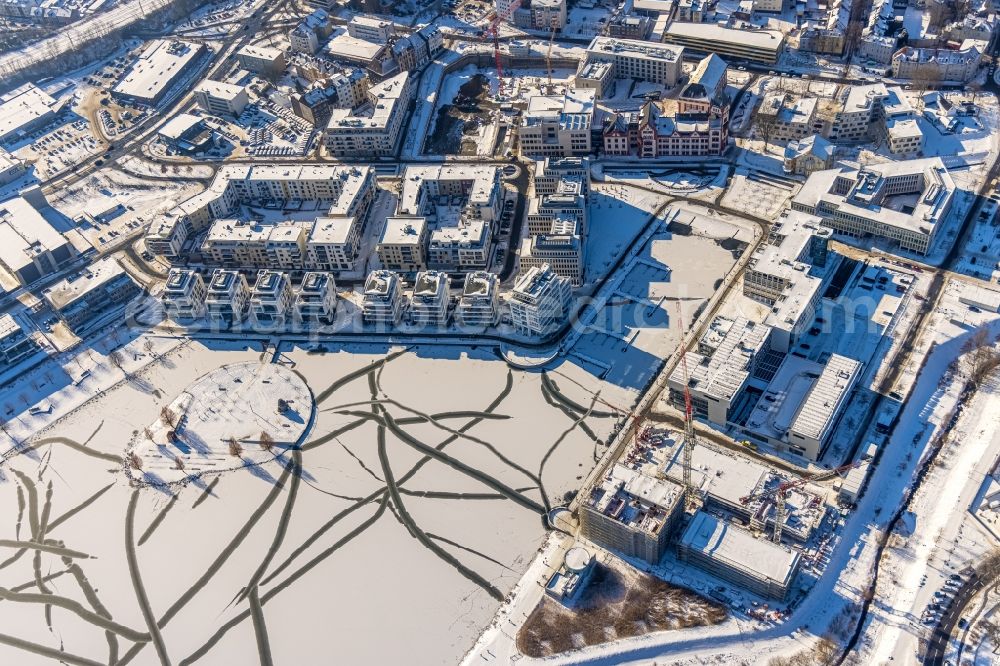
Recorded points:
(558,126)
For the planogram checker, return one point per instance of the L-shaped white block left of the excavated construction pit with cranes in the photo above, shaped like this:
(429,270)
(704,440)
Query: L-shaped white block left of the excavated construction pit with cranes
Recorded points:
(373,130)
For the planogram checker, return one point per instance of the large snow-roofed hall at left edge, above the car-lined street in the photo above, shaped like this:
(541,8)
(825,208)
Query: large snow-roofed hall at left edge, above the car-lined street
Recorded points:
(30,248)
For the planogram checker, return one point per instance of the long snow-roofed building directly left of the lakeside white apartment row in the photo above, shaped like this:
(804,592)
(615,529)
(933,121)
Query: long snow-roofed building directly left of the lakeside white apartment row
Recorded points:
(84,300)
